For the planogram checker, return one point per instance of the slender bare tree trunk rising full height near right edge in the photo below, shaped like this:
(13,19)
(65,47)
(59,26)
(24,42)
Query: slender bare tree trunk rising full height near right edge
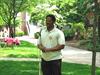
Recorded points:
(93,69)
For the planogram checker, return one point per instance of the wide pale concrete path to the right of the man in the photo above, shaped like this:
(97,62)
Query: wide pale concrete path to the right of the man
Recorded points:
(75,55)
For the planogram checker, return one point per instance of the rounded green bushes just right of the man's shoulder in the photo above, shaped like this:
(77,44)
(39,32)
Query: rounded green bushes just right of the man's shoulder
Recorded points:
(71,28)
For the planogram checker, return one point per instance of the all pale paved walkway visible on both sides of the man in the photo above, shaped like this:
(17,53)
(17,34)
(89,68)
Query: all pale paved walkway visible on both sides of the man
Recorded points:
(70,54)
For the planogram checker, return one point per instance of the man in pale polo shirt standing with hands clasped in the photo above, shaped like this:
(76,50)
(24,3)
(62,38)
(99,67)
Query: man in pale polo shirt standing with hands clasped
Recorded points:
(51,42)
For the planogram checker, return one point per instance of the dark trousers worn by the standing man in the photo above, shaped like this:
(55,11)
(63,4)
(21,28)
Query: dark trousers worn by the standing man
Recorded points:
(51,67)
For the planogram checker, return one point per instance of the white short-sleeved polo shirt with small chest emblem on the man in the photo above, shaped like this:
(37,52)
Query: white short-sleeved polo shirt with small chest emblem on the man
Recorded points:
(51,39)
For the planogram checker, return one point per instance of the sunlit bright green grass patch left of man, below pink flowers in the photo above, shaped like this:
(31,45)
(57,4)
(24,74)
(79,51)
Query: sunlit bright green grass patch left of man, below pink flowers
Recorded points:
(25,50)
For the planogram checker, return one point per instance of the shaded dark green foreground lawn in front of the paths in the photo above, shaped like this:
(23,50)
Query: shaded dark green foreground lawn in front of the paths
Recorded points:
(31,68)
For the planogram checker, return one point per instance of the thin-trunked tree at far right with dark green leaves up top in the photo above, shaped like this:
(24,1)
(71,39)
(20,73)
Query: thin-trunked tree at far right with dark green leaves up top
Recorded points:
(91,6)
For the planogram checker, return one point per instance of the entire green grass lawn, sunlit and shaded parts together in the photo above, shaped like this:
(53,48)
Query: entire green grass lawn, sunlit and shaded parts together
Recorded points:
(28,50)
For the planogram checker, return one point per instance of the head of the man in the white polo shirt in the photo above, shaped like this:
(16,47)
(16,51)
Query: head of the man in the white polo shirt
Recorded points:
(50,20)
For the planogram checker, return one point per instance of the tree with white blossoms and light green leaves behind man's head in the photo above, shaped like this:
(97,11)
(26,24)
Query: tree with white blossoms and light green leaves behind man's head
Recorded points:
(60,8)
